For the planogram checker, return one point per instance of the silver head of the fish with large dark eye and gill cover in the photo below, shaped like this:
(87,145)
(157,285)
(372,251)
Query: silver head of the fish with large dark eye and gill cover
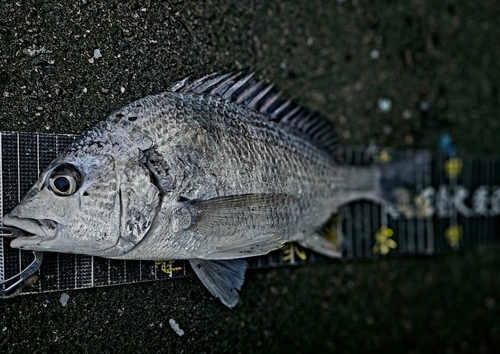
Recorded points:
(87,203)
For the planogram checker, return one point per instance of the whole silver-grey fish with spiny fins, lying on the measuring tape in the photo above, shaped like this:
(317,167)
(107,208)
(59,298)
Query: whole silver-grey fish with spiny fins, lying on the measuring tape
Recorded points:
(213,170)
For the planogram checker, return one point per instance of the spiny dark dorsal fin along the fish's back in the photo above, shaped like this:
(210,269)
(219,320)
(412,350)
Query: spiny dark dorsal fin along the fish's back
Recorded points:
(262,97)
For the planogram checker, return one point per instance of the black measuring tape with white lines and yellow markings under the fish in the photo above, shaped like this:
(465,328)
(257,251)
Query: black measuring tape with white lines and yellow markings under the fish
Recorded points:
(458,195)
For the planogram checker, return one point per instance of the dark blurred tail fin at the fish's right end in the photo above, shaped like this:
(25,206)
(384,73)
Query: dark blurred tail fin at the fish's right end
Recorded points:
(400,178)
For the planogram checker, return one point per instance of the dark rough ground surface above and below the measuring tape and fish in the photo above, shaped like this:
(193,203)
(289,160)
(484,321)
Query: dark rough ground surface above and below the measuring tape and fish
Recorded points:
(437,64)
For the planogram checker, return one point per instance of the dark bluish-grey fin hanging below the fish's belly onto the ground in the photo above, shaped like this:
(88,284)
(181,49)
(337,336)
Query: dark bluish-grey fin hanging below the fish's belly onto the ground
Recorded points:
(221,278)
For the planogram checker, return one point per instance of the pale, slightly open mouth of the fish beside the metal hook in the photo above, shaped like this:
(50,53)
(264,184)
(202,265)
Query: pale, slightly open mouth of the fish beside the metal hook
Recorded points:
(37,231)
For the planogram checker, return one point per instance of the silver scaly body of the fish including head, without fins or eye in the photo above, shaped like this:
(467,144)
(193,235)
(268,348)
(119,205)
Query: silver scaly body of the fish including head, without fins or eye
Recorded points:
(147,162)
